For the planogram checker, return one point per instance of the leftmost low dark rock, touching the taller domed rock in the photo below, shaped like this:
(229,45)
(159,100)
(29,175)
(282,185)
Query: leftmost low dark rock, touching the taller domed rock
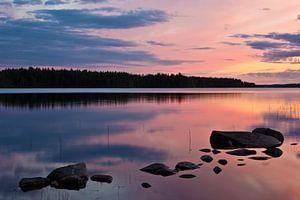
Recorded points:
(36,183)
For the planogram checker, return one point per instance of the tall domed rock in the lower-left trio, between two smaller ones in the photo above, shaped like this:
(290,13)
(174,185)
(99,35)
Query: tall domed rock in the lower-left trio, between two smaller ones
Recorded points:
(71,177)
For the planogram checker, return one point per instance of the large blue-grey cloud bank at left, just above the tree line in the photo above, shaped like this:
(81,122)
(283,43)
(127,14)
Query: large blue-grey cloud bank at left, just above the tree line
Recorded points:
(29,42)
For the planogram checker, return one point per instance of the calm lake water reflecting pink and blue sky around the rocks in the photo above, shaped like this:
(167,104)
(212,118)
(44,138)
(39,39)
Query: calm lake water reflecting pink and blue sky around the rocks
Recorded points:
(118,134)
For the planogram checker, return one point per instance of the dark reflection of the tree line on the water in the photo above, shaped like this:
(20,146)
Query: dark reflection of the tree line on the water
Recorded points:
(34,101)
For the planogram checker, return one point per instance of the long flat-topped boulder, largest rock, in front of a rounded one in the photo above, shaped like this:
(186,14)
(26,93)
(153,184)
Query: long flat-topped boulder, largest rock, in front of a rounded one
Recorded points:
(239,139)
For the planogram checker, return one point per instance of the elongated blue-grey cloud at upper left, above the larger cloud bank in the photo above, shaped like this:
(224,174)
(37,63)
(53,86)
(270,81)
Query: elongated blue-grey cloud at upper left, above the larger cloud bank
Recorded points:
(90,19)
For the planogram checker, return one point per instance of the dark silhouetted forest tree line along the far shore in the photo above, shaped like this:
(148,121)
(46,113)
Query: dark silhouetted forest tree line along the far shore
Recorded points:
(51,78)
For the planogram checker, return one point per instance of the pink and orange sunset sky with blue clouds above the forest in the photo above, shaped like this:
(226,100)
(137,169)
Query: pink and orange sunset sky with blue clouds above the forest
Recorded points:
(256,40)
